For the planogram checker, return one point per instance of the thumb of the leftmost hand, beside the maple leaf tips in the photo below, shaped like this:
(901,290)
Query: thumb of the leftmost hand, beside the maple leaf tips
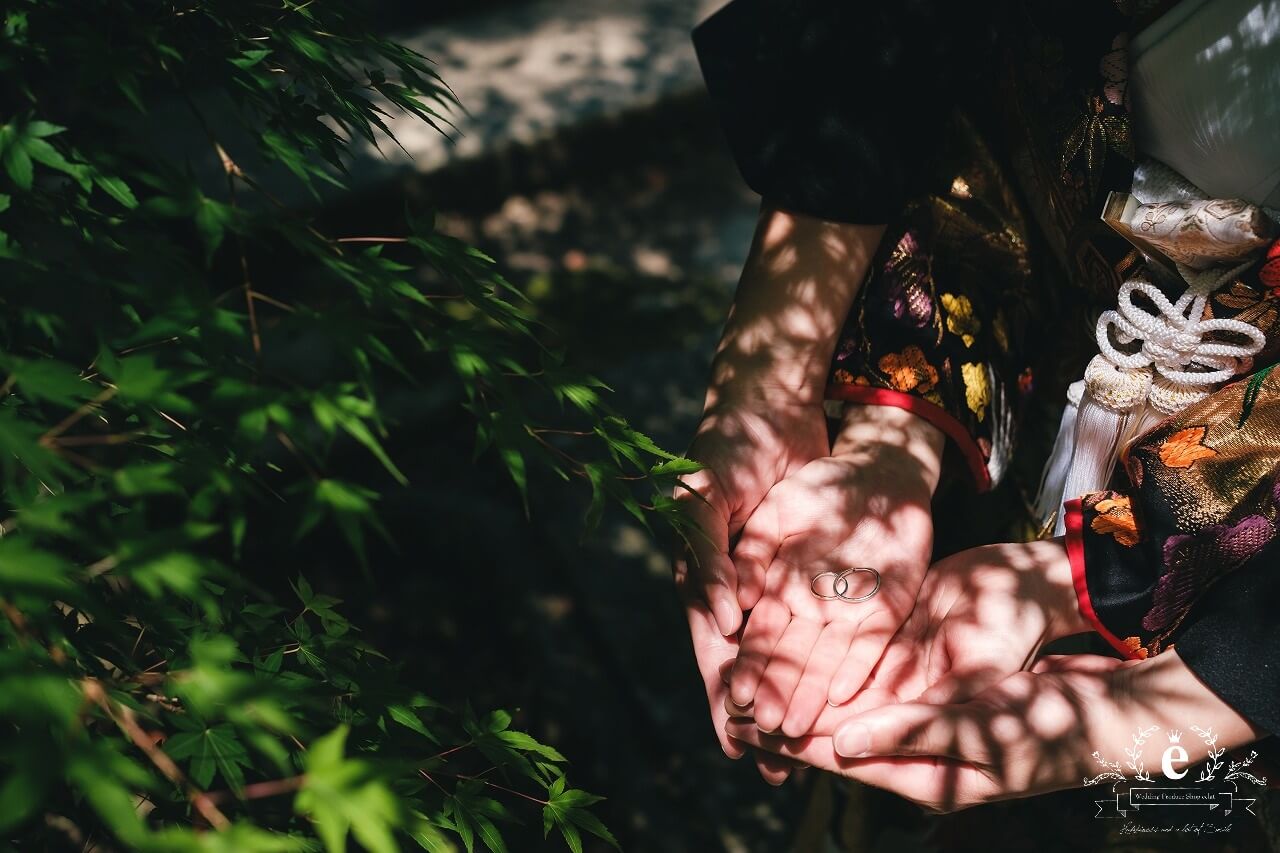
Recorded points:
(707,569)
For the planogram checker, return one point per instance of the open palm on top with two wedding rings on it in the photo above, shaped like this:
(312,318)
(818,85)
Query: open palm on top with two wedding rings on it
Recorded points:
(867,505)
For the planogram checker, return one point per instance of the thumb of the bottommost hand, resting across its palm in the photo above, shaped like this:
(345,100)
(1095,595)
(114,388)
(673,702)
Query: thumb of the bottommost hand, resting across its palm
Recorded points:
(912,729)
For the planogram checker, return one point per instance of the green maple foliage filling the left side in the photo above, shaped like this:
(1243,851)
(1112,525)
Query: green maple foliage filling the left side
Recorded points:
(180,349)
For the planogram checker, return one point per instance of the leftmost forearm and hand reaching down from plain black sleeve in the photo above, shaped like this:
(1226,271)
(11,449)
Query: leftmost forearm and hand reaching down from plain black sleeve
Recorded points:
(764,417)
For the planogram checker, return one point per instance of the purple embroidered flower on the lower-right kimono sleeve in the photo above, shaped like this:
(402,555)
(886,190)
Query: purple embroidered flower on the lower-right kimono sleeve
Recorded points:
(1195,562)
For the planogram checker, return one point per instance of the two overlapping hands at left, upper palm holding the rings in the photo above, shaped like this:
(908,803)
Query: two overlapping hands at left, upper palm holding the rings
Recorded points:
(793,507)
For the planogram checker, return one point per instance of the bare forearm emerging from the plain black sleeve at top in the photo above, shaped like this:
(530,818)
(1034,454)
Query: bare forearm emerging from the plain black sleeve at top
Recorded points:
(797,290)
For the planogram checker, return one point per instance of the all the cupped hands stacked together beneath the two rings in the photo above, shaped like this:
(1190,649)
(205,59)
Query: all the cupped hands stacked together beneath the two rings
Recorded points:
(935,688)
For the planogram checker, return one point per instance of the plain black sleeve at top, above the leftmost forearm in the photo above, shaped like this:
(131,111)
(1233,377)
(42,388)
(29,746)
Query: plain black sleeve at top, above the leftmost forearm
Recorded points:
(830,107)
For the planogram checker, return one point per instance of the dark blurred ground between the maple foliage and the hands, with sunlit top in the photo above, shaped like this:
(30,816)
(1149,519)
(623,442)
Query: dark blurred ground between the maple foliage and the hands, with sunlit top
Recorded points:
(589,167)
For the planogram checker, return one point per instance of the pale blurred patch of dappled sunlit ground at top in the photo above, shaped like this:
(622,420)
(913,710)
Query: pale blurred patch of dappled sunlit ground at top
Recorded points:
(542,67)
